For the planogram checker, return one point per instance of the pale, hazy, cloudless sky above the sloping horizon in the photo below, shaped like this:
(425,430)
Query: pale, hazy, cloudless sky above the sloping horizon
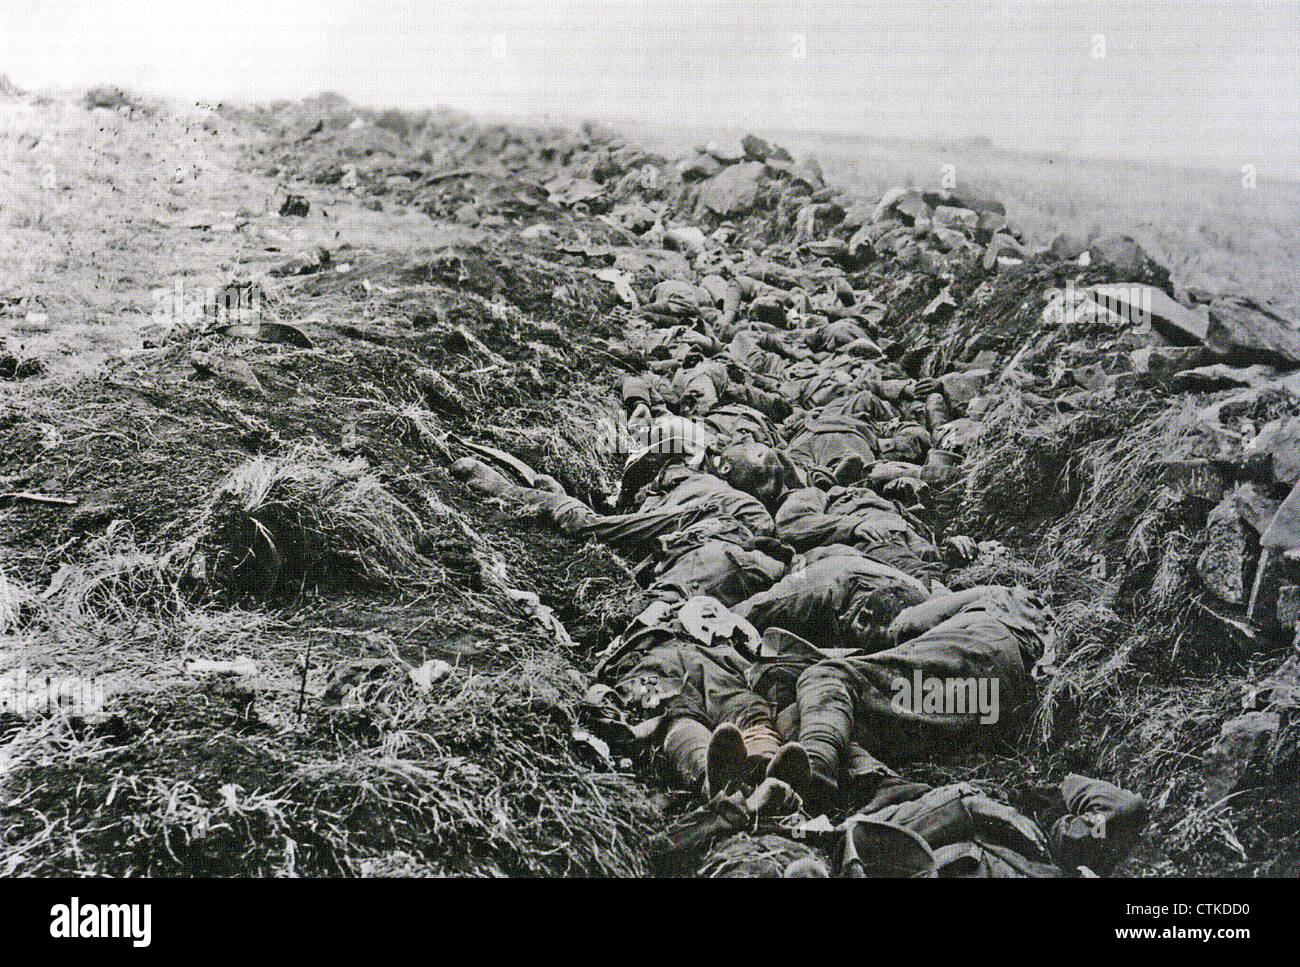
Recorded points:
(1185,83)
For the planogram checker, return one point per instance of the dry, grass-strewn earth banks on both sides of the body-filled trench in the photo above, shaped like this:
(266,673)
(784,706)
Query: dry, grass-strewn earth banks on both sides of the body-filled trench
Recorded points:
(408,665)
